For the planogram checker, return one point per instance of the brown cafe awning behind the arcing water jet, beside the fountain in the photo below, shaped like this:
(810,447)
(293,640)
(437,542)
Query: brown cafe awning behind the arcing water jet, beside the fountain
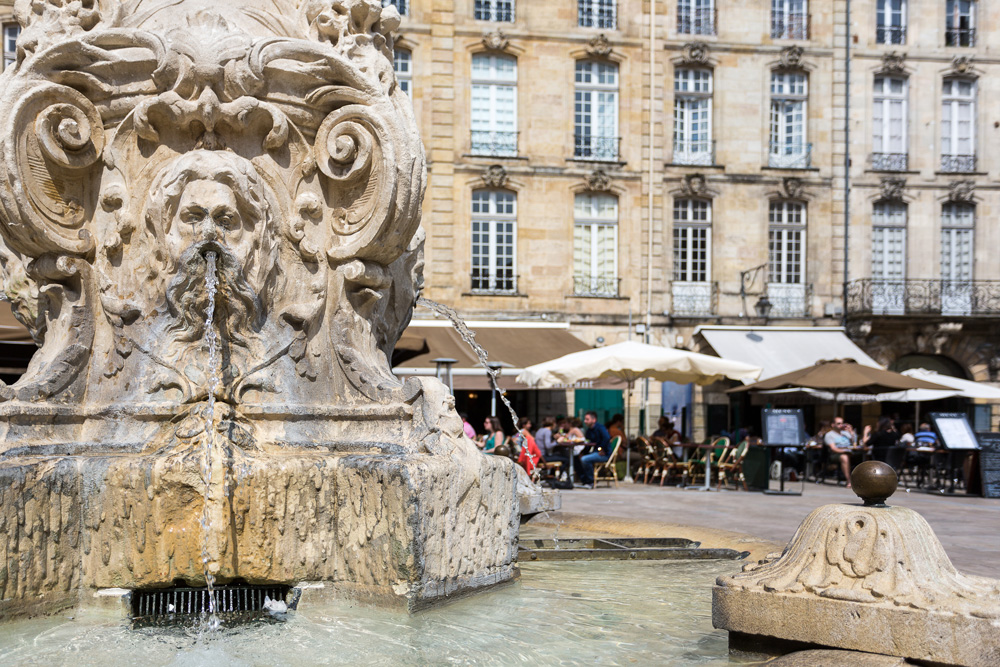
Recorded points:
(516,345)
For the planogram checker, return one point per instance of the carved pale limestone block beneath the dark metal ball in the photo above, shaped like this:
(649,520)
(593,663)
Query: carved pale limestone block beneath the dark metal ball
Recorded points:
(872,579)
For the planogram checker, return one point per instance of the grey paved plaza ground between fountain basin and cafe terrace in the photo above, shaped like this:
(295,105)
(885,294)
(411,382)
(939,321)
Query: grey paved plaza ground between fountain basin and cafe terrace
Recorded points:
(969,527)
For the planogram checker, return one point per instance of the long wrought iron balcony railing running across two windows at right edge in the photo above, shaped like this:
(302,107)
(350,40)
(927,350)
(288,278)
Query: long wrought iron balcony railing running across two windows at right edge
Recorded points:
(970,298)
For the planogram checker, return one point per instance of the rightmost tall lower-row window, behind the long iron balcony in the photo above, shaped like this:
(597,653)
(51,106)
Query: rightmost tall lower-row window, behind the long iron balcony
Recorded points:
(957,235)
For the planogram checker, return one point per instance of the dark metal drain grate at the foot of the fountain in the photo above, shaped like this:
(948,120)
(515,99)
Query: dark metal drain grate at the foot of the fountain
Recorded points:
(179,604)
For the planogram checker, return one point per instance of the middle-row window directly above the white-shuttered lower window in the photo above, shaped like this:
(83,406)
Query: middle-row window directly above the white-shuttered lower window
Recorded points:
(595,120)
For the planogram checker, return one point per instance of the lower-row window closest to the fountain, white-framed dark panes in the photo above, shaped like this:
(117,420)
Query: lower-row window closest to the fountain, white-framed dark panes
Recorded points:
(494,229)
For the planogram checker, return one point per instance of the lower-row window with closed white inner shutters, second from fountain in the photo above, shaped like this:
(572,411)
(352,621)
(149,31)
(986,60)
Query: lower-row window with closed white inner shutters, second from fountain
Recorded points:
(595,245)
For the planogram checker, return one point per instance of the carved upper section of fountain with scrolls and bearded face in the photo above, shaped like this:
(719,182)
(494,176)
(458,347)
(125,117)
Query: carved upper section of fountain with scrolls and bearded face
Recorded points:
(274,136)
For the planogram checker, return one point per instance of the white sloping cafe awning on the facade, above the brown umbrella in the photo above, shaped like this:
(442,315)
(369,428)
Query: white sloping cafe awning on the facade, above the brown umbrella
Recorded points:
(780,350)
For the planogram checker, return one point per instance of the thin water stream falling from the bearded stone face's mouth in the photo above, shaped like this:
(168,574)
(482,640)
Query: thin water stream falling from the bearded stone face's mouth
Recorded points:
(212,340)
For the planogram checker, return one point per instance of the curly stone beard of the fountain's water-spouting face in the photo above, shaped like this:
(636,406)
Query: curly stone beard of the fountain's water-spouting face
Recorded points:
(238,309)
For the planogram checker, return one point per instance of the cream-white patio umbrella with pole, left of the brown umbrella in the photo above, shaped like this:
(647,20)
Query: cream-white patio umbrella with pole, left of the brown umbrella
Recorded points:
(631,361)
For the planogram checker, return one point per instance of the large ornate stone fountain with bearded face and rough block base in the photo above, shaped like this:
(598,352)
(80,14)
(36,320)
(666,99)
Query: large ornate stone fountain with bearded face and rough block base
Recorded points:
(259,436)
